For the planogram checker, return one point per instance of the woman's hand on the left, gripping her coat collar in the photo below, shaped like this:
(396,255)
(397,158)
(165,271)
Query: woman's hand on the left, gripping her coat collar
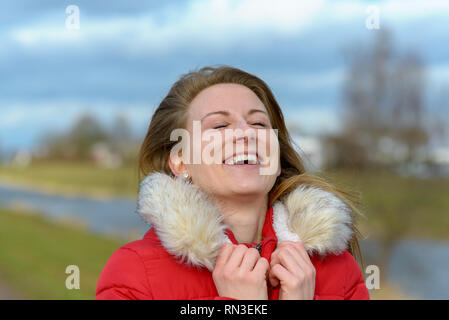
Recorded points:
(241,273)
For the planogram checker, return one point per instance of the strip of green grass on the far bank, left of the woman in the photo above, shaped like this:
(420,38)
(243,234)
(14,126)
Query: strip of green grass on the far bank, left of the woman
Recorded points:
(74,178)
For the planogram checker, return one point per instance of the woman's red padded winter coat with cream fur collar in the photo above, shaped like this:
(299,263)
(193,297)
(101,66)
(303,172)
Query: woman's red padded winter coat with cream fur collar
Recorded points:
(175,258)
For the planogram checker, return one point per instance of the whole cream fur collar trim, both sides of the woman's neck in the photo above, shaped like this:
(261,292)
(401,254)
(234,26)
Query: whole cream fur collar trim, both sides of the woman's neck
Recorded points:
(190,226)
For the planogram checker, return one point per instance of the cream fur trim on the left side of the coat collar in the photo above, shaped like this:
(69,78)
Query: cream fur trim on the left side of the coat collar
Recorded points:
(186,221)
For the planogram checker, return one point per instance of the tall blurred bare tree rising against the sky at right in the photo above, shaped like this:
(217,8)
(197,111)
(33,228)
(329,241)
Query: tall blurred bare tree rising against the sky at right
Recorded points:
(382,100)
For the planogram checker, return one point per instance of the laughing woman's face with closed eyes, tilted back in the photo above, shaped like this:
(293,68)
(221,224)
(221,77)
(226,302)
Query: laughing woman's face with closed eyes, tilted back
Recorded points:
(226,108)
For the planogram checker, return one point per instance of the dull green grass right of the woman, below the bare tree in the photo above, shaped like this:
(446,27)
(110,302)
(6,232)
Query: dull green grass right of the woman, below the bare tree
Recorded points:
(396,206)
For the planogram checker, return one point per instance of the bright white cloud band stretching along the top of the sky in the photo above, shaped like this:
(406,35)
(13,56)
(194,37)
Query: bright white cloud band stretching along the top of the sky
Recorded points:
(216,22)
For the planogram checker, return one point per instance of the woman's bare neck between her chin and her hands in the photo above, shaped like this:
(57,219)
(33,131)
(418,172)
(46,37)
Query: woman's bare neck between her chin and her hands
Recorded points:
(244,217)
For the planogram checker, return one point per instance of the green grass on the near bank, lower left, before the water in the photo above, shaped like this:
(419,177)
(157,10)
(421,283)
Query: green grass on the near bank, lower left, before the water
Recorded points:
(34,254)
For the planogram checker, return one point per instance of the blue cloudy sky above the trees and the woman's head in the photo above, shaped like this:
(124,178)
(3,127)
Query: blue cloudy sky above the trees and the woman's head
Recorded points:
(126,55)
